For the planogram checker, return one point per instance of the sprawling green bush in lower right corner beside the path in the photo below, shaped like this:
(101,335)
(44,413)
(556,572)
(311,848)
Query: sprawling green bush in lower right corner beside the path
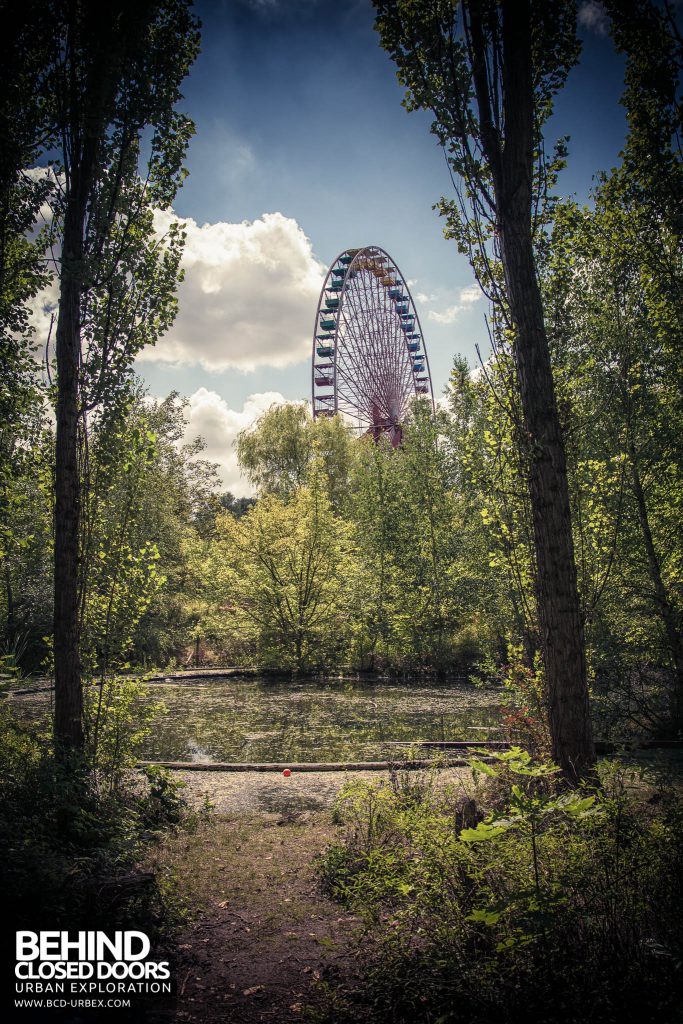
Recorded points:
(554,908)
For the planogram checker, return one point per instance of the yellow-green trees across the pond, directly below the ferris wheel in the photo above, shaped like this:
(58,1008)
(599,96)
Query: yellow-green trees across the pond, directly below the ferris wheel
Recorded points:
(391,583)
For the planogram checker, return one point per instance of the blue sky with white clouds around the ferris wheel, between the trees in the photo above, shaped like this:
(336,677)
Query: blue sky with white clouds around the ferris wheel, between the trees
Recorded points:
(303,151)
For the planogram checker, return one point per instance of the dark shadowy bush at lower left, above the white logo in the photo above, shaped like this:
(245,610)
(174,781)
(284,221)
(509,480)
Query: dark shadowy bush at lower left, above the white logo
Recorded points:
(71,844)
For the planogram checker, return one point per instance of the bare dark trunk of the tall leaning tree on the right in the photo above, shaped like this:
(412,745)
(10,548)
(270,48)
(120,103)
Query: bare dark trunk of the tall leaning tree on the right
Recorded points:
(560,609)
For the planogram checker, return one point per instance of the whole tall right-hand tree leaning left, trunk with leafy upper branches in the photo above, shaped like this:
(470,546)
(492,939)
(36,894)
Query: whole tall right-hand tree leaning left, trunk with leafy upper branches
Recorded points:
(488,72)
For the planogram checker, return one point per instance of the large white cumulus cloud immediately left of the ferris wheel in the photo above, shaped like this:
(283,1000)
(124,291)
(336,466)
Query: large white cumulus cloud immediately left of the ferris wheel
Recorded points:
(248,298)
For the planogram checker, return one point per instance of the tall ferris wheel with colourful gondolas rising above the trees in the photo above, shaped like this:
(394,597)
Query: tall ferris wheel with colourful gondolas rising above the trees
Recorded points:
(369,358)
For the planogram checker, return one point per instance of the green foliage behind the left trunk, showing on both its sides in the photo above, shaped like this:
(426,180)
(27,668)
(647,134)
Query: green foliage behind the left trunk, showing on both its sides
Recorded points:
(151,508)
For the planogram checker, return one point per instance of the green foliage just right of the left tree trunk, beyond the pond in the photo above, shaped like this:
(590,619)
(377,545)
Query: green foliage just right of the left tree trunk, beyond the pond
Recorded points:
(153,504)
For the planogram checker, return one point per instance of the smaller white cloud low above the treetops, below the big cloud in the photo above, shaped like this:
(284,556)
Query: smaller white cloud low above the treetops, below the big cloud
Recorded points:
(211,418)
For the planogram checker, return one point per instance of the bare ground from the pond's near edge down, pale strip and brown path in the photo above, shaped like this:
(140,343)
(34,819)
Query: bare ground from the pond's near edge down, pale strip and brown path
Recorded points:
(260,934)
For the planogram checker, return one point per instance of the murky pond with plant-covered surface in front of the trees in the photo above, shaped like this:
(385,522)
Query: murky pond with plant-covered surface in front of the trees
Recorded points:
(262,719)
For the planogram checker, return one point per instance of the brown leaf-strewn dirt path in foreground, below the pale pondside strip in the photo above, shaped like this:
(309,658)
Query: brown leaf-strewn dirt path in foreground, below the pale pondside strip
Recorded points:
(261,932)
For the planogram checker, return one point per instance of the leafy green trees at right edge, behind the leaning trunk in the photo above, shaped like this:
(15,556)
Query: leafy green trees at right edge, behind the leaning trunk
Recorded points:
(627,419)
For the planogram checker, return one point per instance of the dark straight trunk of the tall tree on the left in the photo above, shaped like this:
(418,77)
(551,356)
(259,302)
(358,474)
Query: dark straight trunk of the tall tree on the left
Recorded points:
(88,115)
